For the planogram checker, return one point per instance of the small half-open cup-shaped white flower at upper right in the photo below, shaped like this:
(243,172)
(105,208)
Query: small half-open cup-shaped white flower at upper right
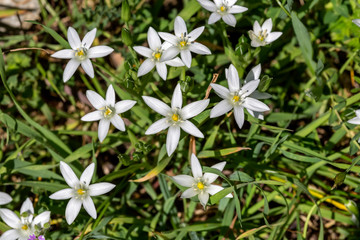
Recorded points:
(262,36)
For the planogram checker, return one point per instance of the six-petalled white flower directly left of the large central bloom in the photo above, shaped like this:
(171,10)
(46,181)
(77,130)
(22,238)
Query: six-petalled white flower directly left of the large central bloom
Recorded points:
(107,111)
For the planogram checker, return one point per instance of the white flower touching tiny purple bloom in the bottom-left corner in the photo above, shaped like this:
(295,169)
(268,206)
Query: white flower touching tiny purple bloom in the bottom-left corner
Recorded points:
(24,226)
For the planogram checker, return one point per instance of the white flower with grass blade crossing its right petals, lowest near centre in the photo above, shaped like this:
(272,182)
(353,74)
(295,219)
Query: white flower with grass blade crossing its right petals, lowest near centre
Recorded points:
(200,184)
